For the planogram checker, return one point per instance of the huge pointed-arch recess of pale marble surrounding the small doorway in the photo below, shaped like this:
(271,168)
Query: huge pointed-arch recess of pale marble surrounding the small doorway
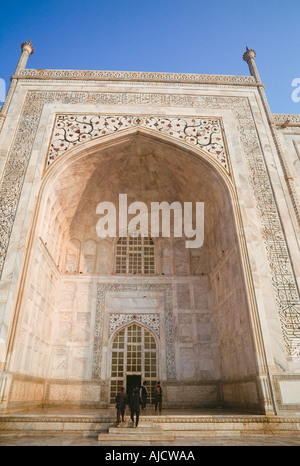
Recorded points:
(74,298)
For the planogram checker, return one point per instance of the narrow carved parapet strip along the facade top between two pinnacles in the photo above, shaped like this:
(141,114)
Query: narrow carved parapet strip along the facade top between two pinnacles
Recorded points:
(91,75)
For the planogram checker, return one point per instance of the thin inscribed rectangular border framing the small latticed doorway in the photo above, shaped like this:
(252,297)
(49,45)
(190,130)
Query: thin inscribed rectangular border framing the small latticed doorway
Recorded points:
(168,315)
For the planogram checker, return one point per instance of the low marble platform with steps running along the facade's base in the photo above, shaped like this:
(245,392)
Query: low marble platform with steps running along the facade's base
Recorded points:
(185,424)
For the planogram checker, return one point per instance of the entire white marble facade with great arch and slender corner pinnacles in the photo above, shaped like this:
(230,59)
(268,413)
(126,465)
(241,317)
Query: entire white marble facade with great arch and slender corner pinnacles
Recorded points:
(225,317)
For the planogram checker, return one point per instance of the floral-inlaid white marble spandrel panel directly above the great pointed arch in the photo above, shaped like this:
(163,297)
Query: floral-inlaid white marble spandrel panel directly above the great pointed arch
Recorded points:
(72,129)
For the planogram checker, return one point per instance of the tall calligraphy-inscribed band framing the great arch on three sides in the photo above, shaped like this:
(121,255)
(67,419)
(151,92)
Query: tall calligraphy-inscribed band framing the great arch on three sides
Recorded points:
(282,276)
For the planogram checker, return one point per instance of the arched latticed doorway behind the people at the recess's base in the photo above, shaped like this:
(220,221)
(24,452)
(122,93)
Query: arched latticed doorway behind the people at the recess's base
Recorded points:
(134,360)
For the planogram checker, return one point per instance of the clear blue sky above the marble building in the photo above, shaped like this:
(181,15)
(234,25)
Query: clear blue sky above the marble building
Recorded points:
(187,36)
